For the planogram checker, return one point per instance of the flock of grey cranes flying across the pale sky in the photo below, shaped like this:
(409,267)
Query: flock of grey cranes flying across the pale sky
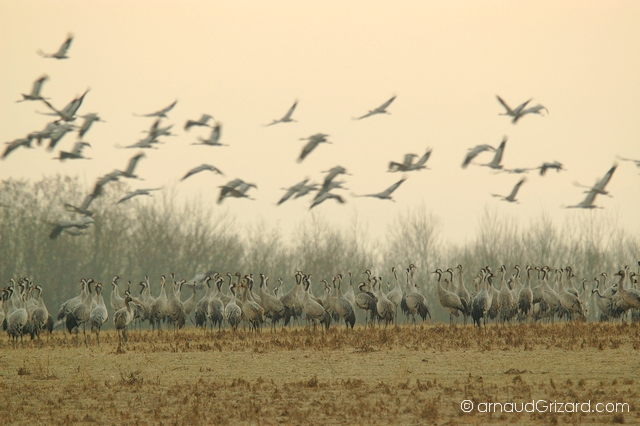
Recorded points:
(64,124)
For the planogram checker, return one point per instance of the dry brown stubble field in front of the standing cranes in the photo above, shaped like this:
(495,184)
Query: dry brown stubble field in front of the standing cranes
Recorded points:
(403,375)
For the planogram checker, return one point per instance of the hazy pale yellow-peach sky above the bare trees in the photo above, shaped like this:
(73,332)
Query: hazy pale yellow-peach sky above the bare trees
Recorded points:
(245,62)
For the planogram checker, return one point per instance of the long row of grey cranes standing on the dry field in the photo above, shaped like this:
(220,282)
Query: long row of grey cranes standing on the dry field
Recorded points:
(231,300)
